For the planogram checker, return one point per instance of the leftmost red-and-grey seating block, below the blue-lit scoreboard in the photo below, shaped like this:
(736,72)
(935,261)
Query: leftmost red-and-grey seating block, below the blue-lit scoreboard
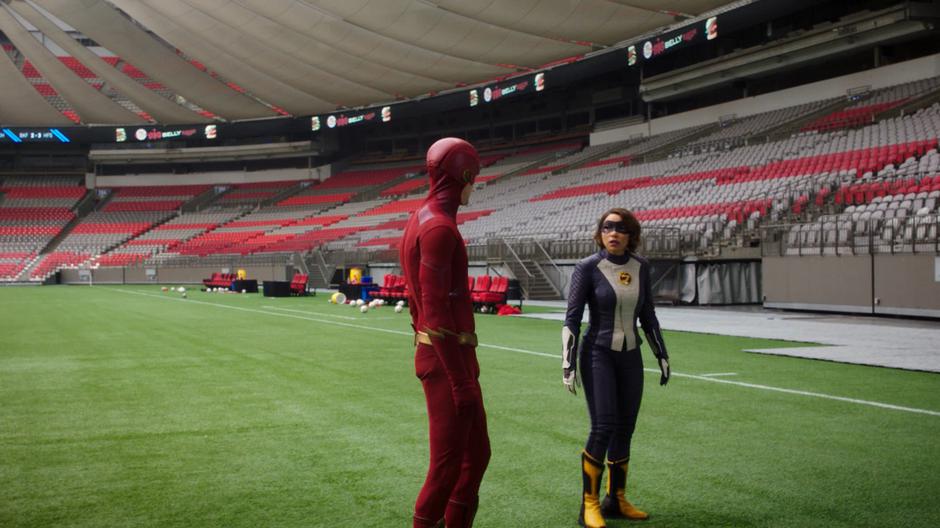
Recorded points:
(33,211)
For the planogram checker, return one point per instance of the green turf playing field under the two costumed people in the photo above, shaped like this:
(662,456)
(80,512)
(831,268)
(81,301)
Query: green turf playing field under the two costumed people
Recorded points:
(126,406)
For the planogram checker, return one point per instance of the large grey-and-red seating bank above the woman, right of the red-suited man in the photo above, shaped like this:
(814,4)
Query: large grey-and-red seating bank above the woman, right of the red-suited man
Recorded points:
(739,187)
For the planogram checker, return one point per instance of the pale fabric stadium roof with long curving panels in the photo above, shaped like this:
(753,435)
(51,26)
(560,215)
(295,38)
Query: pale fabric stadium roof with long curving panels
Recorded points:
(187,61)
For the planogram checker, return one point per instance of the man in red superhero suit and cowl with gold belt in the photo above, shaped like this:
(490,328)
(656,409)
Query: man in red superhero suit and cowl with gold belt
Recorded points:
(434,262)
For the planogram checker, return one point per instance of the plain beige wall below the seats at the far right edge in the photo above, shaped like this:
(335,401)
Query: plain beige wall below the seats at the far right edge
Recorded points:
(882,284)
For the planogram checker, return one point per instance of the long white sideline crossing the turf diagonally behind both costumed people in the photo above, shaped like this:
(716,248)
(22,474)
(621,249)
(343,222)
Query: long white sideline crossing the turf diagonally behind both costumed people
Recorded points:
(553,356)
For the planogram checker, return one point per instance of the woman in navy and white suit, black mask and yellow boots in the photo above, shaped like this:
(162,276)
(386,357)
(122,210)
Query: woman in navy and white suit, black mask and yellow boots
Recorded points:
(615,284)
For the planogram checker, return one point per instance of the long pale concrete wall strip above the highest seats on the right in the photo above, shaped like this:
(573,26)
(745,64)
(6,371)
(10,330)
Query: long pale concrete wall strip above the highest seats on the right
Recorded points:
(913,70)
